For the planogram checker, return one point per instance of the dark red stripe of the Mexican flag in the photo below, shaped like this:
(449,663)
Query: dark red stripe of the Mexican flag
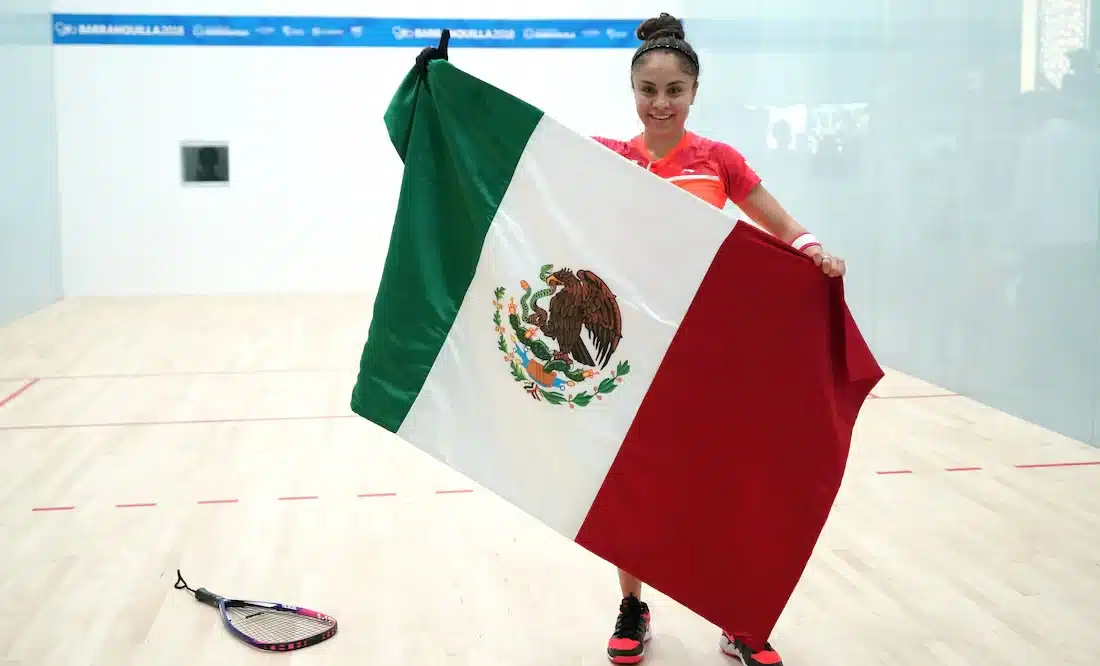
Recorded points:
(736,455)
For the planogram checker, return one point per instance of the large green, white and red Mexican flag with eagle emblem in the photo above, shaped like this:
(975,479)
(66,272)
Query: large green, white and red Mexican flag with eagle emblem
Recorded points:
(665,386)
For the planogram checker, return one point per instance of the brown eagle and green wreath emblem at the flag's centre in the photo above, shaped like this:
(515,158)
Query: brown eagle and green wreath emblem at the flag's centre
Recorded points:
(560,351)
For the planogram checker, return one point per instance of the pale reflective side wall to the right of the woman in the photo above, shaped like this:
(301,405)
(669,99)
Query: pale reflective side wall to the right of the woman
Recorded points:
(950,151)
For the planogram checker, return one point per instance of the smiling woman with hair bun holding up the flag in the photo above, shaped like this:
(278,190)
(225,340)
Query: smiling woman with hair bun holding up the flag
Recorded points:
(665,79)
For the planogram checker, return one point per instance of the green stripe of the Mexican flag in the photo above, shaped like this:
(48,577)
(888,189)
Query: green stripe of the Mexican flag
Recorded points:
(467,139)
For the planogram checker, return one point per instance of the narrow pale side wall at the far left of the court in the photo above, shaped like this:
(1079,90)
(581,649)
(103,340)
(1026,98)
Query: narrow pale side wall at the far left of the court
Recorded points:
(30,245)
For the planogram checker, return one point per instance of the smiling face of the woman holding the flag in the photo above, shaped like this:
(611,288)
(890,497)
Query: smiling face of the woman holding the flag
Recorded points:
(663,93)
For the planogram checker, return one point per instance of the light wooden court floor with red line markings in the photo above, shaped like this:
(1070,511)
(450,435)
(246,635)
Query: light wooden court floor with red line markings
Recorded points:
(214,435)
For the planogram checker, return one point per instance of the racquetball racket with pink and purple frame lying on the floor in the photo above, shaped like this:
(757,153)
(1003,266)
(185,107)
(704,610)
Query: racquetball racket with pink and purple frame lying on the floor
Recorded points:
(265,625)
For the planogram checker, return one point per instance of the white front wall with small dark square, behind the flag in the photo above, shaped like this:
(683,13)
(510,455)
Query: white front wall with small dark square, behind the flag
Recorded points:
(314,179)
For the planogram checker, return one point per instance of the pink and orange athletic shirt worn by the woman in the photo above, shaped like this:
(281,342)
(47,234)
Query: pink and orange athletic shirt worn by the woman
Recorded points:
(711,170)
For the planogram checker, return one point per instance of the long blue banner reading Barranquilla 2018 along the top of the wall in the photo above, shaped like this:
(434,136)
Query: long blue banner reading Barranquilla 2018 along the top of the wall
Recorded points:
(342,31)
